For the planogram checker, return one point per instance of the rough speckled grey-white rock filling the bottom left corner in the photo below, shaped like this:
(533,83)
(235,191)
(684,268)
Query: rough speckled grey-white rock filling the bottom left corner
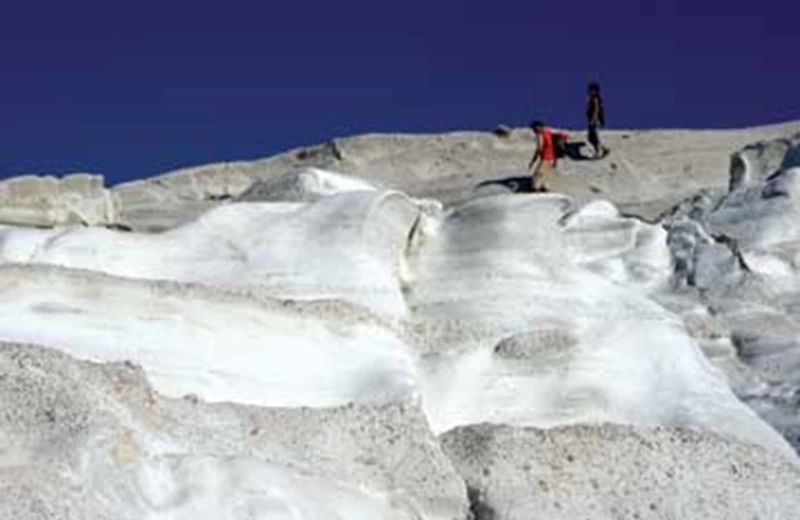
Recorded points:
(81,440)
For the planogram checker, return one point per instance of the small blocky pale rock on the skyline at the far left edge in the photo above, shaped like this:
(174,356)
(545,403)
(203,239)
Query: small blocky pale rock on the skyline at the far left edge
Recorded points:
(47,201)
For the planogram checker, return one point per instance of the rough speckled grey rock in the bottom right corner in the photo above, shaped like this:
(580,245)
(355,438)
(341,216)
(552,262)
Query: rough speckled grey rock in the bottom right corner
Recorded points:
(612,472)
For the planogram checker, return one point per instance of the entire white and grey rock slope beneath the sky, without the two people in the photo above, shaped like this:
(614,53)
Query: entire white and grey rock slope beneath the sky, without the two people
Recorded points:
(335,324)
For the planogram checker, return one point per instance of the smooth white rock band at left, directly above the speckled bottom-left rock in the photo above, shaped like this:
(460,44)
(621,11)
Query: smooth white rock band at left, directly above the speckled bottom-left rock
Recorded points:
(219,345)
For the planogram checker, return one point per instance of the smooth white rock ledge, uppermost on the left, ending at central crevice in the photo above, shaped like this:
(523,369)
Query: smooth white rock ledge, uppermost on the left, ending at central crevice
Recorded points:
(346,247)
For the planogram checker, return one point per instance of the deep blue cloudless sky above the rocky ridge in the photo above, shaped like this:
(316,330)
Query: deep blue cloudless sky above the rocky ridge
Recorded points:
(131,89)
